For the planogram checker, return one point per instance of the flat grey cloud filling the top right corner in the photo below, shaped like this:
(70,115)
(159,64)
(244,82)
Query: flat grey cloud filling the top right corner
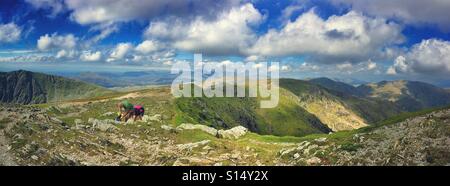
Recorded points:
(415,12)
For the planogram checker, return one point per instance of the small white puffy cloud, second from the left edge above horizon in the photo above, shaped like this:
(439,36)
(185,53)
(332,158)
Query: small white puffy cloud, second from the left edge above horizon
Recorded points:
(53,41)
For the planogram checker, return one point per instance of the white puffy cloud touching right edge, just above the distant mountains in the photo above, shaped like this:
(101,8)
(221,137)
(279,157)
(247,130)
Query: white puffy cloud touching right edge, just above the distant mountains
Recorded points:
(429,57)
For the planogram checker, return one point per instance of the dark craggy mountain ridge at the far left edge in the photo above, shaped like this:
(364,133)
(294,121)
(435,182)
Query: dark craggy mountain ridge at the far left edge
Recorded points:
(25,87)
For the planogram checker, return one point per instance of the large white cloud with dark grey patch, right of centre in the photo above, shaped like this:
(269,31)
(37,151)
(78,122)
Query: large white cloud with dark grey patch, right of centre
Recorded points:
(352,37)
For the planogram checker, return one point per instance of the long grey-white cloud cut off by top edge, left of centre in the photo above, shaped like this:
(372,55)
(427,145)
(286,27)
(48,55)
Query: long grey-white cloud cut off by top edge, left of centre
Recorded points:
(101,11)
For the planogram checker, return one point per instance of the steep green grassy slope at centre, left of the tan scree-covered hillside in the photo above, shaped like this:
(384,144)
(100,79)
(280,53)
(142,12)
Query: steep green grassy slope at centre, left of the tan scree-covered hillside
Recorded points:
(287,118)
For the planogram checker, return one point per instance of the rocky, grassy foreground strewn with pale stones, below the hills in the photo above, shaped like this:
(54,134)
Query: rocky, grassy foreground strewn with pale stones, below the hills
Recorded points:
(51,135)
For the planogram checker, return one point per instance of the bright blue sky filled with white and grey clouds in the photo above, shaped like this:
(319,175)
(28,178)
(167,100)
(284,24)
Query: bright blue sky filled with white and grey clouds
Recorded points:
(347,39)
